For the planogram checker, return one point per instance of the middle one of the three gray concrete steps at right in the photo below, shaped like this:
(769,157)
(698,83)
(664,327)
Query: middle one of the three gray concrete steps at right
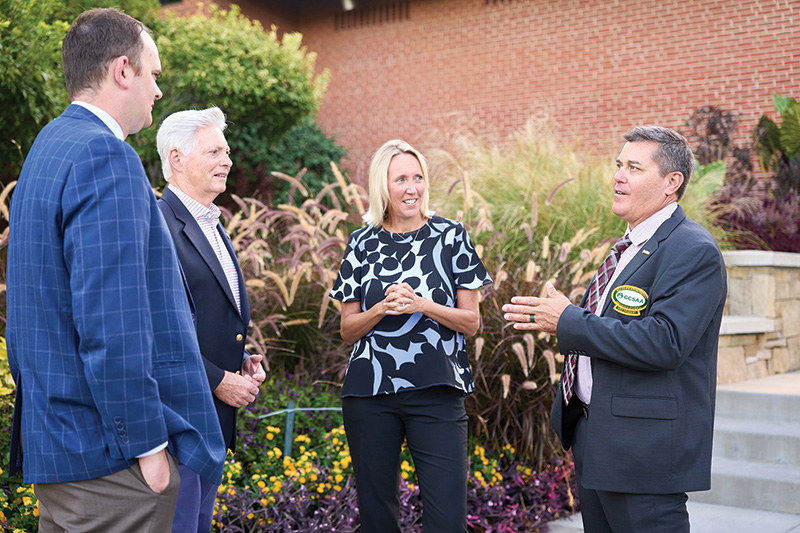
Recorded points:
(757,440)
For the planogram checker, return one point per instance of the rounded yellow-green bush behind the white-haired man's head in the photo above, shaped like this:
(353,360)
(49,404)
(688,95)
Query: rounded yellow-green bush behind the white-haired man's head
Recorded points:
(263,84)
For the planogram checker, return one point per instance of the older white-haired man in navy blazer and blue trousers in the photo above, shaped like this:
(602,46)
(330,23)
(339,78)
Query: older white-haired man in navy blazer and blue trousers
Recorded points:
(196,162)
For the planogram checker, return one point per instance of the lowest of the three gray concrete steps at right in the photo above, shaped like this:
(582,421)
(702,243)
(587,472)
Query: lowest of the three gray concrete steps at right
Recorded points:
(765,486)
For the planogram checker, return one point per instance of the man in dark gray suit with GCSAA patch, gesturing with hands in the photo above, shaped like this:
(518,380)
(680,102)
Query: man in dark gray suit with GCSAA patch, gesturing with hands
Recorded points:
(636,397)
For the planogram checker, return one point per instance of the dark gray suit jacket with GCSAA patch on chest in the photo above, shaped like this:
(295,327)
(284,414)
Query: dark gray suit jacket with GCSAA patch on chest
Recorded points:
(651,415)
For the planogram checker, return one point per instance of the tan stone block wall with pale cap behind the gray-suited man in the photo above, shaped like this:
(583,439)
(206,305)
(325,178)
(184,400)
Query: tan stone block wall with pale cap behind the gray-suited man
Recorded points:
(760,333)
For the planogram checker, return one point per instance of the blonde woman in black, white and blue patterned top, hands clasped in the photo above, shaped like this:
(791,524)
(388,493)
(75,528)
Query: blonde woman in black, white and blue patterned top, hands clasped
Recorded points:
(409,285)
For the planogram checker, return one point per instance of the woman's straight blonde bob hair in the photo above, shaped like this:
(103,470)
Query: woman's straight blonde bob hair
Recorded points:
(378,181)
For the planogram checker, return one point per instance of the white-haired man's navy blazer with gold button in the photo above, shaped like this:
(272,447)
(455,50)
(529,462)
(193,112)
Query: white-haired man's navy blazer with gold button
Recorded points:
(221,329)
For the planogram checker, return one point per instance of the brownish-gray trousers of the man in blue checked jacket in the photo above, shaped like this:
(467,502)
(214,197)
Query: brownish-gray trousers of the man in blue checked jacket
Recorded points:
(117,503)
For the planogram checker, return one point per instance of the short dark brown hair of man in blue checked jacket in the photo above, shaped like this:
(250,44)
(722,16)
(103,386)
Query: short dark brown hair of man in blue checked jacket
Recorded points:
(95,39)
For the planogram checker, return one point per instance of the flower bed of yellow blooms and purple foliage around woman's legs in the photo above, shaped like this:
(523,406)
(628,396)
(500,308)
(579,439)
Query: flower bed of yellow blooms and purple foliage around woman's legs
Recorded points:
(315,491)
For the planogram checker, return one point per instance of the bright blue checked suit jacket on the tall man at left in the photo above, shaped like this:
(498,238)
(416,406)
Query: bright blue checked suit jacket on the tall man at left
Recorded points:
(101,340)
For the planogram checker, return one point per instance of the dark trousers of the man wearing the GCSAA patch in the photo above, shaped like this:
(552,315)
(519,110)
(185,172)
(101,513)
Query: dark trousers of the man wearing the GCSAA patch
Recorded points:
(618,512)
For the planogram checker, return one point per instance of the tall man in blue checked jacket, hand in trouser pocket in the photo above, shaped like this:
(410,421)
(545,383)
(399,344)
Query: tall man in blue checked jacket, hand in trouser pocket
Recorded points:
(111,389)
